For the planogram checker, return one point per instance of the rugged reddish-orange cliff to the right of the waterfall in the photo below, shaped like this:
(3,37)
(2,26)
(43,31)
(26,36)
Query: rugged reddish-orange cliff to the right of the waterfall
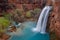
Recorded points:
(54,19)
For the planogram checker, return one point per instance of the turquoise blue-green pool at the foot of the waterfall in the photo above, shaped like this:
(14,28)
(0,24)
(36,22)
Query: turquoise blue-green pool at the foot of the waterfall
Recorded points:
(28,34)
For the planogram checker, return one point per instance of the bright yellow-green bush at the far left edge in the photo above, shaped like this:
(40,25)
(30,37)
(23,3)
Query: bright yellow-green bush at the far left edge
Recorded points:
(4,23)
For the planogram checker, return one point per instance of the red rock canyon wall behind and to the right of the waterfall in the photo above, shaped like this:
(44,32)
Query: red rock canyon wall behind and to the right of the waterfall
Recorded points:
(54,18)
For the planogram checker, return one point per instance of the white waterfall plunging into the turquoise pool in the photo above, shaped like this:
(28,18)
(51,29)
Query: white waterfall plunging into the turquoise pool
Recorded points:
(42,21)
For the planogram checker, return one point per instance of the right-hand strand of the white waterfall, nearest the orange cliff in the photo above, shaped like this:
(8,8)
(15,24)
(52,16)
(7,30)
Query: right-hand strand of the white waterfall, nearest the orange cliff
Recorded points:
(44,24)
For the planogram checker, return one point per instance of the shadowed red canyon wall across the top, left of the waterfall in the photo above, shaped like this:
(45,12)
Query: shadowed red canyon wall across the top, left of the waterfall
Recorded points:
(21,4)
